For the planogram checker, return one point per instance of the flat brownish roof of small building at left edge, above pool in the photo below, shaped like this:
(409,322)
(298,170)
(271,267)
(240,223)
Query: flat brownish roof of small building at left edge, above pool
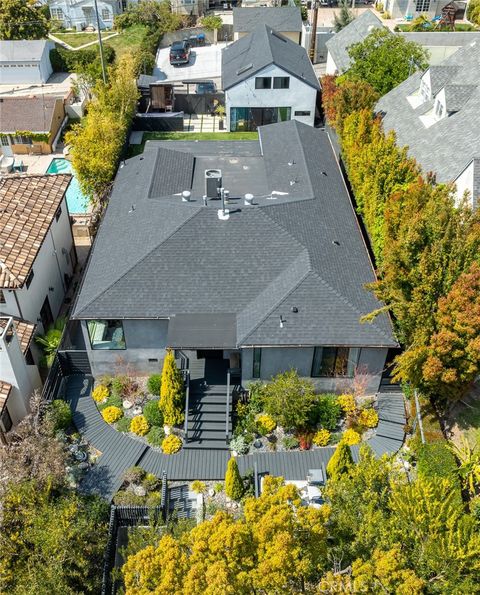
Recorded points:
(28,113)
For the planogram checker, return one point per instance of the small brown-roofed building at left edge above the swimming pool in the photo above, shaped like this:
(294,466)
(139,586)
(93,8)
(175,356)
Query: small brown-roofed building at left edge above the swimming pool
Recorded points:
(30,124)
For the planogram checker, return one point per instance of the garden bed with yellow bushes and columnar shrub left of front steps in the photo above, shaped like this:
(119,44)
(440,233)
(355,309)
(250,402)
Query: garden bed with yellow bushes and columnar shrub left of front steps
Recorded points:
(147,409)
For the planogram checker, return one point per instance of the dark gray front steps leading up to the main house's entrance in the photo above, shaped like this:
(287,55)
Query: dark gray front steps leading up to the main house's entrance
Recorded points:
(207,416)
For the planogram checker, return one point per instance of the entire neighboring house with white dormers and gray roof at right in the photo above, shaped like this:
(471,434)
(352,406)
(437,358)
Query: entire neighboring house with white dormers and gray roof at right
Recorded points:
(436,114)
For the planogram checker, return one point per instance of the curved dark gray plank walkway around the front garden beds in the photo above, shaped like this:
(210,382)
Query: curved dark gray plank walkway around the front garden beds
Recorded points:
(119,451)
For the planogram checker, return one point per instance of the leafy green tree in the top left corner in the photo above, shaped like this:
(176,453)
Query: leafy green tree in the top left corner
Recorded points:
(22,19)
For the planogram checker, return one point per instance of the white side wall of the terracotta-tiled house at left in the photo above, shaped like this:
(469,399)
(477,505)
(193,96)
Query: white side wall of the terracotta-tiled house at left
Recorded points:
(47,273)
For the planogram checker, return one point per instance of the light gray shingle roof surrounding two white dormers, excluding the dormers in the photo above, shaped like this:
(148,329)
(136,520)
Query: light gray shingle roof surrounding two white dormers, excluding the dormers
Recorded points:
(450,144)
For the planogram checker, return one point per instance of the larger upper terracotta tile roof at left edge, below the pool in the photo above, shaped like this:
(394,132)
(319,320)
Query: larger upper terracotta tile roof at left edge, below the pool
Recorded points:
(27,207)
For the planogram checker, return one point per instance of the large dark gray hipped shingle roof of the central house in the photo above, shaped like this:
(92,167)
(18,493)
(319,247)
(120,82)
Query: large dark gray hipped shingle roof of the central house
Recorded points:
(300,247)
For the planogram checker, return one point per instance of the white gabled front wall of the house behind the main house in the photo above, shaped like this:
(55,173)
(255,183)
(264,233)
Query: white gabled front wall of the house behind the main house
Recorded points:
(299,97)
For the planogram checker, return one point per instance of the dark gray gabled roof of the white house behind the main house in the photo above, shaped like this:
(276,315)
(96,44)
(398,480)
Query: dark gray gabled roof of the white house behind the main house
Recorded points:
(264,46)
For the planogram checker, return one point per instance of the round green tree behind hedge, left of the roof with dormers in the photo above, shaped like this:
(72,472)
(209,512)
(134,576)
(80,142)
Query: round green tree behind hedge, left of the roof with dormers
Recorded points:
(384,60)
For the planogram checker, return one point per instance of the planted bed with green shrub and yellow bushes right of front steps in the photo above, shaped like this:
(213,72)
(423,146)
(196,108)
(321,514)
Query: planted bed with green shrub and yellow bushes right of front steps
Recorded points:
(286,414)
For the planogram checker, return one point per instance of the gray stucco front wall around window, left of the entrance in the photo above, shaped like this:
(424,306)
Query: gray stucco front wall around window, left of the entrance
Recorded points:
(146,342)
